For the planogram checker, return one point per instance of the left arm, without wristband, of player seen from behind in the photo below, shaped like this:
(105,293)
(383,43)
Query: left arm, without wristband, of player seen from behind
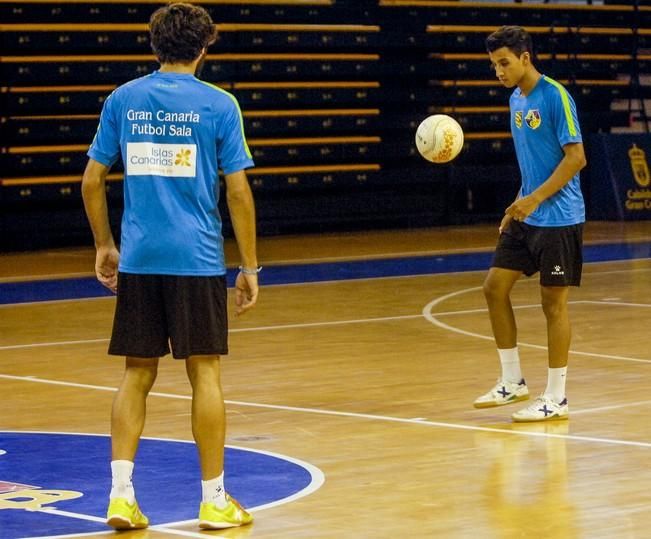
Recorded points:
(93,190)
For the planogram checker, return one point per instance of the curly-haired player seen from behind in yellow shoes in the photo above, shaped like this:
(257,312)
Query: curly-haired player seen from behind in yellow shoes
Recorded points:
(174,132)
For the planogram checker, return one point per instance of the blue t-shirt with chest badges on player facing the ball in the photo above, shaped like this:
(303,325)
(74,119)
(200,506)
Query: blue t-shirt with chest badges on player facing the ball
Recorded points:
(542,123)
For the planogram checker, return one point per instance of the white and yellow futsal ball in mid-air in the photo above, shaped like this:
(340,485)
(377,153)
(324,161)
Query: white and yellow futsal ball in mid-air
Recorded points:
(439,138)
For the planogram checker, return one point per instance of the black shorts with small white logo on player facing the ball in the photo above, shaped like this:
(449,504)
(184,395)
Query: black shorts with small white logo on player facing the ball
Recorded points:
(556,252)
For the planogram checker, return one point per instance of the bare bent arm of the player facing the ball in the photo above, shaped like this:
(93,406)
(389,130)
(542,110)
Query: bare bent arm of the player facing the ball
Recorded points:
(573,161)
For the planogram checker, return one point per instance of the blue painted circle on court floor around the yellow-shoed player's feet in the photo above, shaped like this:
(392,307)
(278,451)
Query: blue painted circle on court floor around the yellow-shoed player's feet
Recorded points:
(166,477)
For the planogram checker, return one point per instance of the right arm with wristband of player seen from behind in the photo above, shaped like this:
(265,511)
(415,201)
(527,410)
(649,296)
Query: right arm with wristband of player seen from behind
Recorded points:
(242,210)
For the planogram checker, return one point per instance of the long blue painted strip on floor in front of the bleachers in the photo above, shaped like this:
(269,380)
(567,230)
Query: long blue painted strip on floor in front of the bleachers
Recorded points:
(88,287)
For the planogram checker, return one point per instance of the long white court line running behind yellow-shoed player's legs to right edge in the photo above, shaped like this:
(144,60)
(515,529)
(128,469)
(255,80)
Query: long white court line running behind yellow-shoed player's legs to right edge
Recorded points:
(354,415)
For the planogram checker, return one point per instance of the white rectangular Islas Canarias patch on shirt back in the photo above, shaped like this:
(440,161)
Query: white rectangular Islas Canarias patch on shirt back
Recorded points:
(152,159)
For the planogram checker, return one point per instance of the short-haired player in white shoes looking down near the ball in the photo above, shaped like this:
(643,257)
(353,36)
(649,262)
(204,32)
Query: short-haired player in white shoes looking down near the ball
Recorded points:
(542,230)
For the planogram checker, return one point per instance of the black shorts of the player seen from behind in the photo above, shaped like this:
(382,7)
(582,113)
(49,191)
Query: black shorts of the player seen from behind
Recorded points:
(156,311)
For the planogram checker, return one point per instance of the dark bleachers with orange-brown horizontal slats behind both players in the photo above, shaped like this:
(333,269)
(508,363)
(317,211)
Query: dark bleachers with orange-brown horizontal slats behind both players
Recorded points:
(331,94)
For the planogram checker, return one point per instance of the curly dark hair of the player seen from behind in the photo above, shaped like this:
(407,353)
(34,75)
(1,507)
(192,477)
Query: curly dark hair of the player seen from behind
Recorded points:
(179,32)
